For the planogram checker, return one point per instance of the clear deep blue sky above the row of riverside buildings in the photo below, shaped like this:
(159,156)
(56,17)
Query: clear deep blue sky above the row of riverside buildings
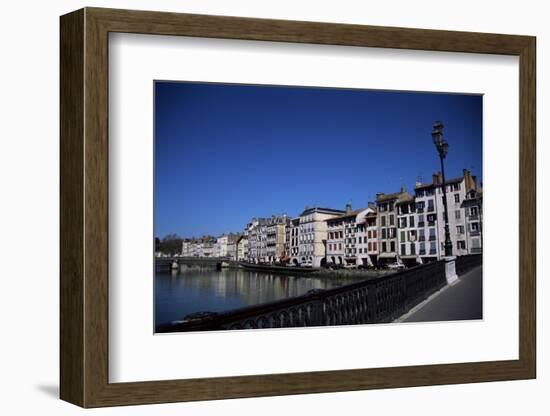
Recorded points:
(225,152)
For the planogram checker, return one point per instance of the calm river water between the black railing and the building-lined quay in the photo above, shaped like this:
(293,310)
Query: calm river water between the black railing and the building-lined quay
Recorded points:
(205,289)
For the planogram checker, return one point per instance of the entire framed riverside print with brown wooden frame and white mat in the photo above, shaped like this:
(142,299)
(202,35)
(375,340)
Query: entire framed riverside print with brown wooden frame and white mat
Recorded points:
(256,207)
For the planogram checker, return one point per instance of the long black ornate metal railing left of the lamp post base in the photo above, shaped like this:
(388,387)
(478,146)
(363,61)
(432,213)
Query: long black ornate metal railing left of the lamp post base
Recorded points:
(376,300)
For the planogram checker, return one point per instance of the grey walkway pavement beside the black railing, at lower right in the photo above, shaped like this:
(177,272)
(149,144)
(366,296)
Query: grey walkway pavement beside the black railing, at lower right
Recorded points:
(462,301)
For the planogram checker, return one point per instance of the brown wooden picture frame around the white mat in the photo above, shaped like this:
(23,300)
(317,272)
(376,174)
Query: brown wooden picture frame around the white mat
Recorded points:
(84,207)
